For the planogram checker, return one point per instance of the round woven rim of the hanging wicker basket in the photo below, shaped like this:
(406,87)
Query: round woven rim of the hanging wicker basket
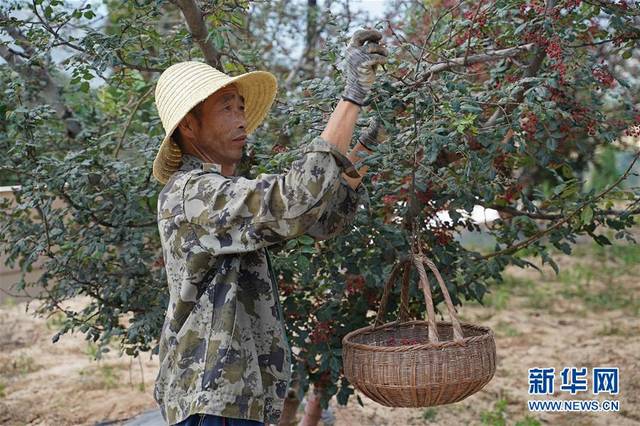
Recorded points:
(347,343)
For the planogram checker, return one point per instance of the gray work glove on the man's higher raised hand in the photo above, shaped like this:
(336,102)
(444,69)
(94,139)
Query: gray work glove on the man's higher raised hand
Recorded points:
(359,65)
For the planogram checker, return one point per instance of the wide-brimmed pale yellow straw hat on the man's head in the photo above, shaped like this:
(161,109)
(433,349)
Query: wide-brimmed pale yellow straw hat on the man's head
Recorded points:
(185,84)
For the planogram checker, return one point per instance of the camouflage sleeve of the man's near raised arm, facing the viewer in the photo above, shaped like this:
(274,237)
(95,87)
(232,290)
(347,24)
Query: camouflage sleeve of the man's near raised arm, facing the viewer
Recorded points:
(235,214)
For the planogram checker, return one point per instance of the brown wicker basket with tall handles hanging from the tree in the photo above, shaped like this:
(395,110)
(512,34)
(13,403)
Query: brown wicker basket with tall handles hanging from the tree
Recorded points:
(418,363)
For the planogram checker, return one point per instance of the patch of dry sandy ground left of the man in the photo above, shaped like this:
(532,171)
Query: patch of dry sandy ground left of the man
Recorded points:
(42,383)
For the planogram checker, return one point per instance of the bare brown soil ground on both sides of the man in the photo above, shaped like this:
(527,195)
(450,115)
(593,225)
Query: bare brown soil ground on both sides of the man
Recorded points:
(587,316)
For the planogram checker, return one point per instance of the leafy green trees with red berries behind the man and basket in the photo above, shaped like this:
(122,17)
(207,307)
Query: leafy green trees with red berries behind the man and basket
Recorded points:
(500,103)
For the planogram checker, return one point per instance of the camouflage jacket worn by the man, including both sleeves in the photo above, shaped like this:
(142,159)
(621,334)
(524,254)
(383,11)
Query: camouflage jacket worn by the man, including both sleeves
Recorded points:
(223,348)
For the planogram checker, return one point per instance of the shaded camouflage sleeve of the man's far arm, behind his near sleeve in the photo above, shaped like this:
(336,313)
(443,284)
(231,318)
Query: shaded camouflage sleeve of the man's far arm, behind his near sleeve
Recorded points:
(340,212)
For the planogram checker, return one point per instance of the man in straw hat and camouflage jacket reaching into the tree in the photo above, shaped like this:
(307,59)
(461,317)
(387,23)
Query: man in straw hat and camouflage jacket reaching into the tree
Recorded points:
(224,355)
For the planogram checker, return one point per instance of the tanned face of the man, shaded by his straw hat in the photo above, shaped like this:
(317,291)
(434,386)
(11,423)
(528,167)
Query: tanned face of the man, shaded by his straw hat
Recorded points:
(222,120)
